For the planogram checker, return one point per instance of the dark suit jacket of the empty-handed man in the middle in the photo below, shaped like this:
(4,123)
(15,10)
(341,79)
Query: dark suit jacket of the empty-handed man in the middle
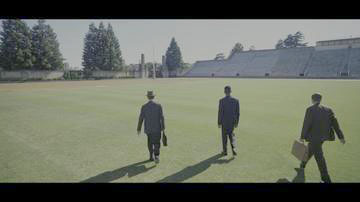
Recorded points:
(229,112)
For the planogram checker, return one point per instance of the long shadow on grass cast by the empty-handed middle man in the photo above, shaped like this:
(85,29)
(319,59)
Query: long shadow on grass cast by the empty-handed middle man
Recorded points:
(193,170)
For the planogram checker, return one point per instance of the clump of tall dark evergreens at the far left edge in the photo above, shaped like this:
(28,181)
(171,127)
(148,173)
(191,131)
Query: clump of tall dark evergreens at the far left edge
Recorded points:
(24,48)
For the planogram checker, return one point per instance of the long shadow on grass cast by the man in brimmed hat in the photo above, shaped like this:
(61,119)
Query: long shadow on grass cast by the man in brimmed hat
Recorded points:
(130,170)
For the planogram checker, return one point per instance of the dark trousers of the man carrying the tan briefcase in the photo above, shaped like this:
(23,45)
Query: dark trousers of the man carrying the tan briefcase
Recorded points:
(315,149)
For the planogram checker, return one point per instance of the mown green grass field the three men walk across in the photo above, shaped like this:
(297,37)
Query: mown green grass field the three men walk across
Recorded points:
(80,131)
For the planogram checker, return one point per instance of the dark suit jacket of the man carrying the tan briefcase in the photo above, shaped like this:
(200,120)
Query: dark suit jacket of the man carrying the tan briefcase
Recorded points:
(319,124)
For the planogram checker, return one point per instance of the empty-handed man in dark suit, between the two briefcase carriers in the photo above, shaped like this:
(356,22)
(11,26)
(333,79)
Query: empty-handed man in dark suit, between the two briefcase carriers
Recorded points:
(228,119)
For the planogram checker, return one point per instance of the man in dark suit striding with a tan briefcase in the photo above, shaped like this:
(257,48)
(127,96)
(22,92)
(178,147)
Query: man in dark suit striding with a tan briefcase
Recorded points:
(319,125)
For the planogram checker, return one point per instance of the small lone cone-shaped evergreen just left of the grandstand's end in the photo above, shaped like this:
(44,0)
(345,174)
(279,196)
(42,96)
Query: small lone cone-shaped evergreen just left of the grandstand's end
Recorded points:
(173,56)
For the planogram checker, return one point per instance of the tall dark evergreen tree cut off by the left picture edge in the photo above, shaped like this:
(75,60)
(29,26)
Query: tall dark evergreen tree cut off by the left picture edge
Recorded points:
(15,45)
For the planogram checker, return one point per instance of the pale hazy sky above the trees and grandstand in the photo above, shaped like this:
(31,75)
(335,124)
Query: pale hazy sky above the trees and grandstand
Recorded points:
(197,39)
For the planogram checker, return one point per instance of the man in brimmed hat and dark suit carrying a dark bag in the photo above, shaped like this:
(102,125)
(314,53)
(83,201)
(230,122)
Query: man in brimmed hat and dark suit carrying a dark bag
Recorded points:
(152,113)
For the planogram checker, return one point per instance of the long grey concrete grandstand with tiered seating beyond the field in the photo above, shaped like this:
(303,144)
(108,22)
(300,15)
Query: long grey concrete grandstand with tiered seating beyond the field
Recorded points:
(328,59)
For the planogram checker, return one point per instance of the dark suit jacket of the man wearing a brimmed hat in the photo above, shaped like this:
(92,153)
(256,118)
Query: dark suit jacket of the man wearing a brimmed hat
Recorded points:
(152,113)
